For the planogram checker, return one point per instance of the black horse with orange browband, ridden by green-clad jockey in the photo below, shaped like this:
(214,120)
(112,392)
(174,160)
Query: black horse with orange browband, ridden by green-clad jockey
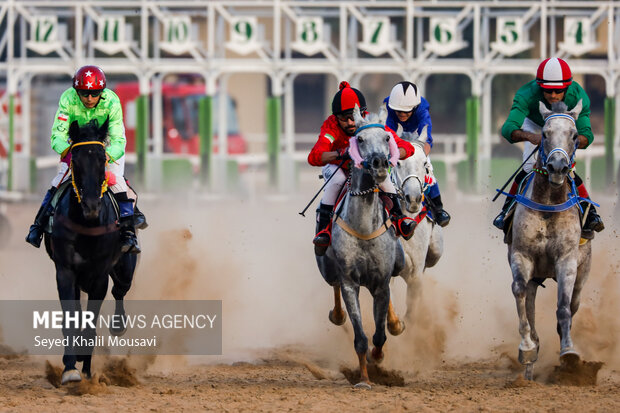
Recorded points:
(85,244)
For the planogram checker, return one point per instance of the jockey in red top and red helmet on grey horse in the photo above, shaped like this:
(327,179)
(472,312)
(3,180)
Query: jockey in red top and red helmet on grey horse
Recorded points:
(331,149)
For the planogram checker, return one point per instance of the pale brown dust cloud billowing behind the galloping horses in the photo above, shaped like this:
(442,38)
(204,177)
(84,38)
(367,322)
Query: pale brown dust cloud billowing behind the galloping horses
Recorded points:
(255,254)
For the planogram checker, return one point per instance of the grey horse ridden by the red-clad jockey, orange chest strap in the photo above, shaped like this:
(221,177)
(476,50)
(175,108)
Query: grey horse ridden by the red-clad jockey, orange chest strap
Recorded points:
(364,250)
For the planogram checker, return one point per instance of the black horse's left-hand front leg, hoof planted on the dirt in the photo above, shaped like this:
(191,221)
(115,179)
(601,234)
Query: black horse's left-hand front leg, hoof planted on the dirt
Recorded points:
(69,302)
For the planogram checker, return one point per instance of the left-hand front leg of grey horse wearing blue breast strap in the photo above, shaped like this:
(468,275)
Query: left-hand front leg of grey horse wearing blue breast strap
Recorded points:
(522,269)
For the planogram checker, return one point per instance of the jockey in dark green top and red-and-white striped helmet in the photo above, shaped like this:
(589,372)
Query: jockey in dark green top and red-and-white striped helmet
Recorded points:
(554,83)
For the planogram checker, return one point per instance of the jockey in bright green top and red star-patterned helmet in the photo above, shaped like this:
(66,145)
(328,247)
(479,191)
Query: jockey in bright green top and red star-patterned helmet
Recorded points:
(89,99)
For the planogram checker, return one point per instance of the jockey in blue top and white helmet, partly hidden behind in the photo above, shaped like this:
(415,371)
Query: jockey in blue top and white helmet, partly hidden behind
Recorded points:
(406,108)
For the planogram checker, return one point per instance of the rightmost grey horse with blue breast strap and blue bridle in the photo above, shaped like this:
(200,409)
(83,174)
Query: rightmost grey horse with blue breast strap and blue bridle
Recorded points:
(545,241)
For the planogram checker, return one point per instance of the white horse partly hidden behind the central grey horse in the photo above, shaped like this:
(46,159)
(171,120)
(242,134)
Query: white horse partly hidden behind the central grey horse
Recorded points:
(425,248)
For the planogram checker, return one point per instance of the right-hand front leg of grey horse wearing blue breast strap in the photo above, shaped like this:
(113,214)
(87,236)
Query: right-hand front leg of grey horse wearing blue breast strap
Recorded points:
(567,275)
